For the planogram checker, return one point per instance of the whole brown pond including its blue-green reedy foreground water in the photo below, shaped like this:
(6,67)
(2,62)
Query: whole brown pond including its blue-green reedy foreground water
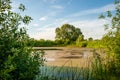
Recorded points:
(65,62)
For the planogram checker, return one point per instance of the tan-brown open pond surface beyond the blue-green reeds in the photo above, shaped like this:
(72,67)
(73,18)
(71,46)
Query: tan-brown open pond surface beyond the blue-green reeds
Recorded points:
(59,56)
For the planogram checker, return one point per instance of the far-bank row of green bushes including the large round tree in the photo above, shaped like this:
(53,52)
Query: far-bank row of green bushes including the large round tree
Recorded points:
(66,35)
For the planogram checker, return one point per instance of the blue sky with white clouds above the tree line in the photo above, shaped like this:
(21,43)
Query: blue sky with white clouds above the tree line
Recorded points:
(49,14)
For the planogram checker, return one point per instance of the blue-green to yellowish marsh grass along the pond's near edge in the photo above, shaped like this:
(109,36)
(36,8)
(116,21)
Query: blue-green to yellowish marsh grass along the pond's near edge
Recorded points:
(96,69)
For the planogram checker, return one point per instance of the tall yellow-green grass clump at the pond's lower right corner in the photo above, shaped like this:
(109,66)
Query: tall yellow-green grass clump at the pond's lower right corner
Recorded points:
(103,67)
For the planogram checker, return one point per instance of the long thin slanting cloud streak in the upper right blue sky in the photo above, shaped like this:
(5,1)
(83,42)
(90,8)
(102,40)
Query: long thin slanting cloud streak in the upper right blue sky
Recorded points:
(93,11)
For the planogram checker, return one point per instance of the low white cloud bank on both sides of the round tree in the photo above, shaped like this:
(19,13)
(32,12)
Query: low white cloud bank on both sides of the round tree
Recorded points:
(90,28)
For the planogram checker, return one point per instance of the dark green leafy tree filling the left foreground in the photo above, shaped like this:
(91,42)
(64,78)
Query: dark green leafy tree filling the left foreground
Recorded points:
(17,60)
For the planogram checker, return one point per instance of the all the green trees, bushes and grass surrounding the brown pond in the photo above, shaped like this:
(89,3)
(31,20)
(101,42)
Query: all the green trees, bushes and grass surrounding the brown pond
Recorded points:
(19,62)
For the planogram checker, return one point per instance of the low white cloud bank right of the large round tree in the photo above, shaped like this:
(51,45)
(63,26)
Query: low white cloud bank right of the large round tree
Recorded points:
(91,28)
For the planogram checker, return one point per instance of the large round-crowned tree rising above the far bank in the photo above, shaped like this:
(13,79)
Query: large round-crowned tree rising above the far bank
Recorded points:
(67,33)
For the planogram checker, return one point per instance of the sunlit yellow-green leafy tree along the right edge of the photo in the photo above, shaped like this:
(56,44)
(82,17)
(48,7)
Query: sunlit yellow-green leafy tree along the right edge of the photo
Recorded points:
(112,38)
